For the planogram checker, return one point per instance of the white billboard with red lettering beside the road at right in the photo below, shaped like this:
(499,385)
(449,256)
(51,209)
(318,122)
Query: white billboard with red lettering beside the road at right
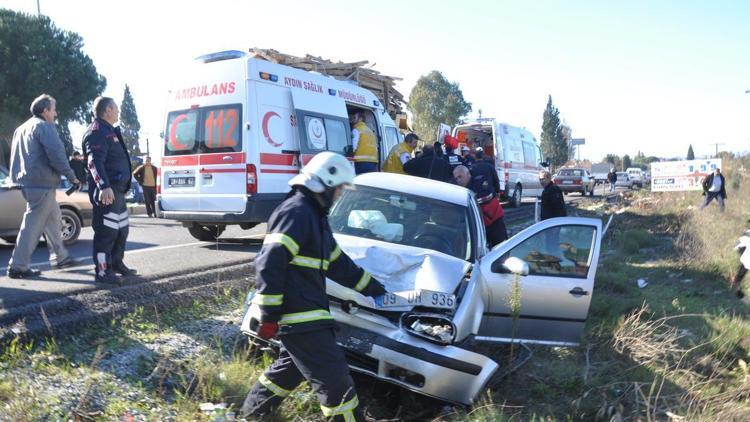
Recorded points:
(673,176)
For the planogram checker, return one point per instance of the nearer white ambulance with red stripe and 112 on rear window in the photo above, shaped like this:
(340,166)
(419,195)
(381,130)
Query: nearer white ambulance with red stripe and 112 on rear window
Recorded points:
(238,128)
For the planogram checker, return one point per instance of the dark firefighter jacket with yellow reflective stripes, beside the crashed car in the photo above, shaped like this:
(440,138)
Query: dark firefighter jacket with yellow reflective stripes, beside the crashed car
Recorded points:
(298,253)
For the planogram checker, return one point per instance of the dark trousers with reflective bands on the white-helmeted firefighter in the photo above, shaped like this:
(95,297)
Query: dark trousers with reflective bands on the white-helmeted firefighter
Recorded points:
(313,356)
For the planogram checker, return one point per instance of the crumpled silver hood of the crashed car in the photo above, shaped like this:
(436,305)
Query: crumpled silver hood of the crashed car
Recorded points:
(400,268)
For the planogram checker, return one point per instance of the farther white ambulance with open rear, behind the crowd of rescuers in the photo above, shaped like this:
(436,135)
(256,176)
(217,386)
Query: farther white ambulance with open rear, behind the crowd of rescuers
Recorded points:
(516,153)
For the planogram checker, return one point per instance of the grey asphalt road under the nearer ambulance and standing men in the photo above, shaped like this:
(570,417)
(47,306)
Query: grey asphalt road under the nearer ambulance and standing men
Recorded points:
(157,249)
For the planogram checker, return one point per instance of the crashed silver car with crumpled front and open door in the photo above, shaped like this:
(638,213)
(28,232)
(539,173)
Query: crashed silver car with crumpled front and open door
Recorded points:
(447,291)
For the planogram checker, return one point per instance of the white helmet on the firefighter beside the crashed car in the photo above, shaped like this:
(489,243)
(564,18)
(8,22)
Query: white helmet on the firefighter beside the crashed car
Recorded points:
(325,170)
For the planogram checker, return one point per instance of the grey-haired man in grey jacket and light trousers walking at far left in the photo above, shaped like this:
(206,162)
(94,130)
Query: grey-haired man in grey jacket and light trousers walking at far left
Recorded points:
(37,160)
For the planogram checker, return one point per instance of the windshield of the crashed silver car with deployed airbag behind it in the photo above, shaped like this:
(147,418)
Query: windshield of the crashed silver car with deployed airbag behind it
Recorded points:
(404,219)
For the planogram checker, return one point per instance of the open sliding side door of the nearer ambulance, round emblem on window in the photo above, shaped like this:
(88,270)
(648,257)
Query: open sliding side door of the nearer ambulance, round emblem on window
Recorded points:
(323,124)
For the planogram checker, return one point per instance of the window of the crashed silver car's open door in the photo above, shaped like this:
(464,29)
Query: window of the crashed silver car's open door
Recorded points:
(561,251)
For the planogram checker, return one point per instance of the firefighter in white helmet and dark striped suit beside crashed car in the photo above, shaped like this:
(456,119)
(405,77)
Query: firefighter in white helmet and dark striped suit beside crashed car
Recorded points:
(298,253)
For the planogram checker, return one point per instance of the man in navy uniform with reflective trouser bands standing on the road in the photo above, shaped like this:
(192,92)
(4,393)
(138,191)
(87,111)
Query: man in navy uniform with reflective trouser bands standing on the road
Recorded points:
(108,162)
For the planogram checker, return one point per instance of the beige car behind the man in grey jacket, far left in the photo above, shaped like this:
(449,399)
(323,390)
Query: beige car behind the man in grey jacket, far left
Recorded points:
(76,210)
